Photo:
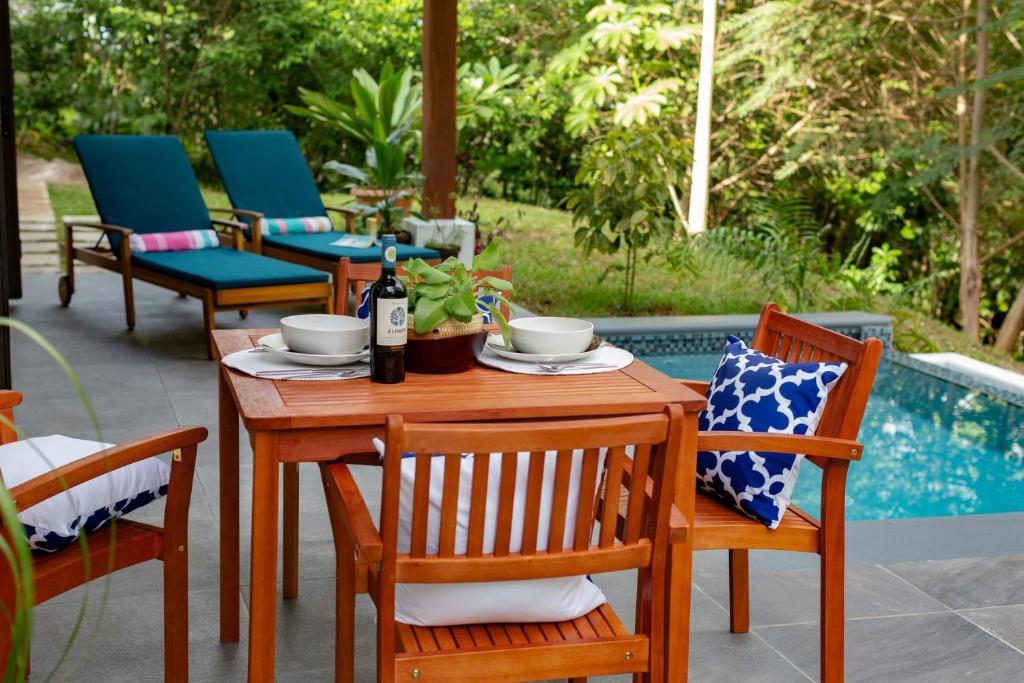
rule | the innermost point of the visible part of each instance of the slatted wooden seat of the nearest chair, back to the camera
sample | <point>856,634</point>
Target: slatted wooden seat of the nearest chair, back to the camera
<point>599,638</point>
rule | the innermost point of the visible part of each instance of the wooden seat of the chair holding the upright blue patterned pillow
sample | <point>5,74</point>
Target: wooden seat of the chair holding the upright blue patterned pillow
<point>719,527</point>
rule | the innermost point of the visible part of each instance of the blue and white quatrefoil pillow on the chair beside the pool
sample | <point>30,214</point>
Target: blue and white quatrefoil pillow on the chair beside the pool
<point>754,393</point>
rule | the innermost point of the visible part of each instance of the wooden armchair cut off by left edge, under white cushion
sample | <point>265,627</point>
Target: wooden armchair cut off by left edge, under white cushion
<point>121,544</point>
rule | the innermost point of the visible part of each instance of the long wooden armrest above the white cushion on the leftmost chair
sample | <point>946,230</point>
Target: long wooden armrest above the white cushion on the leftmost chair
<point>47,486</point>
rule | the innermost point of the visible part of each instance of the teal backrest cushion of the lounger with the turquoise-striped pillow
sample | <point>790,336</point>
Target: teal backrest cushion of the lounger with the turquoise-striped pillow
<point>265,170</point>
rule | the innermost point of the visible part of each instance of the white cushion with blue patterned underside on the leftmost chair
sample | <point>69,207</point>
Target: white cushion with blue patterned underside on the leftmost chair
<point>59,521</point>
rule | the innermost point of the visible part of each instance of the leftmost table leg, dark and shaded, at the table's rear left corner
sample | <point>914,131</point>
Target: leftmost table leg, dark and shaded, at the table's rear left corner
<point>229,441</point>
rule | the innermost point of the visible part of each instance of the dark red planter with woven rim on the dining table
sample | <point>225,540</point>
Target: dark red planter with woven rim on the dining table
<point>451,348</point>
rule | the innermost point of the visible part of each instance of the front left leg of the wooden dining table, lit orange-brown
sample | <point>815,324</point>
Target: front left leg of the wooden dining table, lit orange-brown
<point>264,577</point>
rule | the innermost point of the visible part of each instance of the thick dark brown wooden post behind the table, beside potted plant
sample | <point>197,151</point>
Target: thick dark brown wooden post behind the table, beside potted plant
<point>440,40</point>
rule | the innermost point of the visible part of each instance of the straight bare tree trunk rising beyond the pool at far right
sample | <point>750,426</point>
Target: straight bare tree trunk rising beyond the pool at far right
<point>970,284</point>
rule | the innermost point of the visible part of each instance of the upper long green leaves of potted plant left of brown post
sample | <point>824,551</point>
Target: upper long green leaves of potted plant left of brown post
<point>383,110</point>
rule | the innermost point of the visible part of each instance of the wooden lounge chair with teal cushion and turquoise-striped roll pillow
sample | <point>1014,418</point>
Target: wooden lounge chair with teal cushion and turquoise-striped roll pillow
<point>266,176</point>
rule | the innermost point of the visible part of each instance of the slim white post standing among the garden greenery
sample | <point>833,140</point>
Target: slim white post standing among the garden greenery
<point>702,138</point>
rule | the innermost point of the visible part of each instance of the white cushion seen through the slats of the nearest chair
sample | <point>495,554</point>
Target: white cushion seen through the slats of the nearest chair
<point>556,600</point>
